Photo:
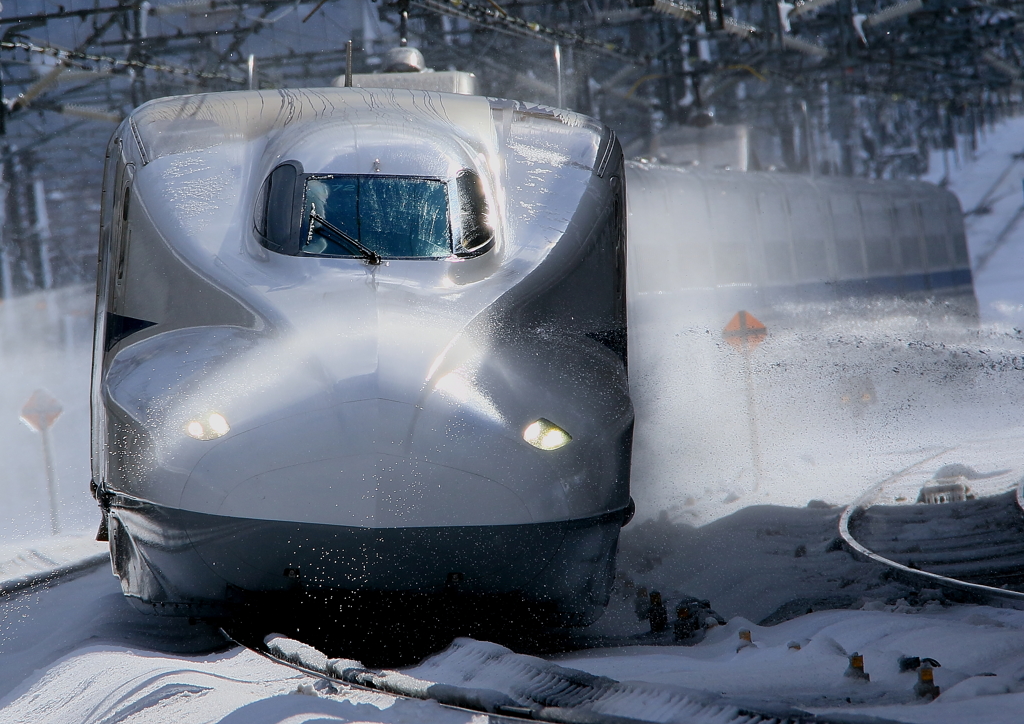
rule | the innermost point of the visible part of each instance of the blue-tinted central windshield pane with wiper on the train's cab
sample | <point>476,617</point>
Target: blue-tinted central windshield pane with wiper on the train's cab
<point>376,218</point>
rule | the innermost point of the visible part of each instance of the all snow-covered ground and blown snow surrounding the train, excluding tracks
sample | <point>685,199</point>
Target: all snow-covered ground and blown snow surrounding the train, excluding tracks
<point>842,403</point>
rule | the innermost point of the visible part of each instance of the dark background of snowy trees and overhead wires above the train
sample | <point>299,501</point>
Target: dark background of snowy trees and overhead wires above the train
<point>858,88</point>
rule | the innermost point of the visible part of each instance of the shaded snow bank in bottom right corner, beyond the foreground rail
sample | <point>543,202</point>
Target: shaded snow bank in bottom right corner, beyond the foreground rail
<point>982,652</point>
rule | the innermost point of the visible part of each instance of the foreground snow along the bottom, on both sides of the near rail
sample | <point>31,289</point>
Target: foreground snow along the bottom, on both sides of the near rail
<point>78,654</point>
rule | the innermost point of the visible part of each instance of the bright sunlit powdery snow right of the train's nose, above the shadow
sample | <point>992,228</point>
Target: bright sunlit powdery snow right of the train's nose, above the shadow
<point>840,402</point>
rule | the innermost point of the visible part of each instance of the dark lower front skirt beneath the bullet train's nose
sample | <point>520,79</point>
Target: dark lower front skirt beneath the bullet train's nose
<point>185,564</point>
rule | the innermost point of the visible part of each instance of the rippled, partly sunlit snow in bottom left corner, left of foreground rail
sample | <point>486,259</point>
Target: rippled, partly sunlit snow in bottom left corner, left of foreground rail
<point>78,654</point>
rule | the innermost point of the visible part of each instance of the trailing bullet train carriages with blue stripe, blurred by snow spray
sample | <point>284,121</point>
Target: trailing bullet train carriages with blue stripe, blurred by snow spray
<point>710,243</point>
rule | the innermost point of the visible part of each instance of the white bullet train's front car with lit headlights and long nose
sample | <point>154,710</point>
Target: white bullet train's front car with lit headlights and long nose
<point>362,340</point>
